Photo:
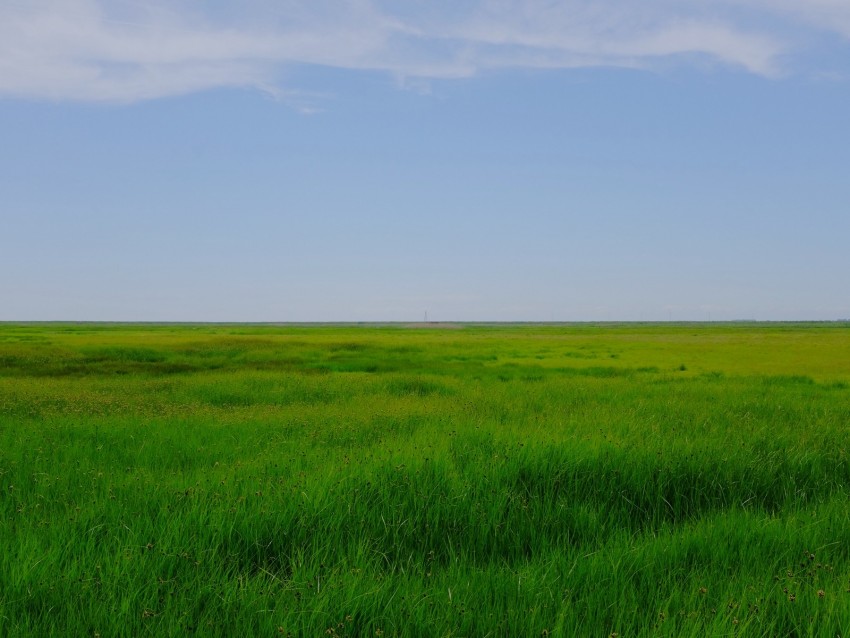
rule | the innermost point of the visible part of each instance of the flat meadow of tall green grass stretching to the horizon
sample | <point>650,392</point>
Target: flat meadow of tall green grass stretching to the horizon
<point>631,480</point>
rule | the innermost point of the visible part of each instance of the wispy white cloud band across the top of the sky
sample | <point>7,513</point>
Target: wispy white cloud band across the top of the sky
<point>125,50</point>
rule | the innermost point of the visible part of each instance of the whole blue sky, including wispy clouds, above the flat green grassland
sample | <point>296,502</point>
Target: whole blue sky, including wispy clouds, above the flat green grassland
<point>376,160</point>
